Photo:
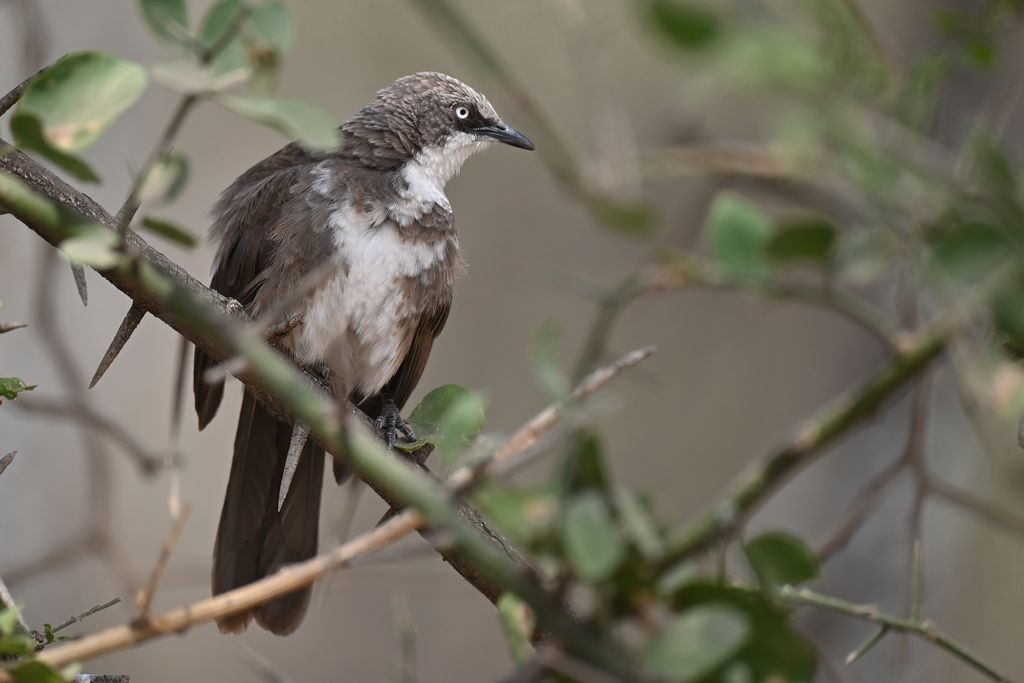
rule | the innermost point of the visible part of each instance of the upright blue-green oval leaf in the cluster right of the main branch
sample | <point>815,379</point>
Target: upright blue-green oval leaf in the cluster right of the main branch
<point>591,539</point>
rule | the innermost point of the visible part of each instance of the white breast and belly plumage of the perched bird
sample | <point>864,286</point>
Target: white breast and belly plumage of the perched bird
<point>362,320</point>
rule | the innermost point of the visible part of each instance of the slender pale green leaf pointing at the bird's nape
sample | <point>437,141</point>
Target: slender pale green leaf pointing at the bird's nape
<point>314,129</point>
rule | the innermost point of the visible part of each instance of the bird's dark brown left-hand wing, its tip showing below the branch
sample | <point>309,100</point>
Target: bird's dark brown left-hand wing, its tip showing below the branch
<point>246,221</point>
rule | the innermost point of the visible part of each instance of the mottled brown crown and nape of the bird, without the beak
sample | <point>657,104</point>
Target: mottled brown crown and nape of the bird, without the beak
<point>413,113</point>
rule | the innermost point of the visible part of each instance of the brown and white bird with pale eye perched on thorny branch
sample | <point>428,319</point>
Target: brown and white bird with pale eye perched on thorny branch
<point>359,244</point>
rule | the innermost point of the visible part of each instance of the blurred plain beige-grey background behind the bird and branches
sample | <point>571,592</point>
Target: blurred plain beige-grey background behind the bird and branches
<point>734,375</point>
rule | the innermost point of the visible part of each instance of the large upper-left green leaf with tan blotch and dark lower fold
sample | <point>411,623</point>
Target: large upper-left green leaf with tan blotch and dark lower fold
<point>68,107</point>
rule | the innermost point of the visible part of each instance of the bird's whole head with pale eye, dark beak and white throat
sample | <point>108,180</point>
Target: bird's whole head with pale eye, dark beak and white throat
<point>431,119</point>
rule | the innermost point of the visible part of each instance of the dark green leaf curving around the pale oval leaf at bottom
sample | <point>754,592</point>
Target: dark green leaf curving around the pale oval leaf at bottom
<point>775,652</point>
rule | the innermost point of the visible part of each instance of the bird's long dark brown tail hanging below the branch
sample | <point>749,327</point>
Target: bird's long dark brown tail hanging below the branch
<point>254,539</point>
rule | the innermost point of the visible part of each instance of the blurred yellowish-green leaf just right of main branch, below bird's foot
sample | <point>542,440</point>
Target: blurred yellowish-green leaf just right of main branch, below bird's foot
<point>524,515</point>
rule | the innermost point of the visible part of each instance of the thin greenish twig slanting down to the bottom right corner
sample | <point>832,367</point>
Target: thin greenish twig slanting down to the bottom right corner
<point>922,629</point>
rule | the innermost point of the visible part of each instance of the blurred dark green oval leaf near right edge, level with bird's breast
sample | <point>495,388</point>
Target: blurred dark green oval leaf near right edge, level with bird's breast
<point>969,251</point>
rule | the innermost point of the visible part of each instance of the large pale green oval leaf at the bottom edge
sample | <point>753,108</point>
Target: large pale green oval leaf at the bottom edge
<point>698,643</point>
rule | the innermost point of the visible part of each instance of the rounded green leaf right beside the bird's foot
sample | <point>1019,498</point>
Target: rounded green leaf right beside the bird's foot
<point>450,417</point>
